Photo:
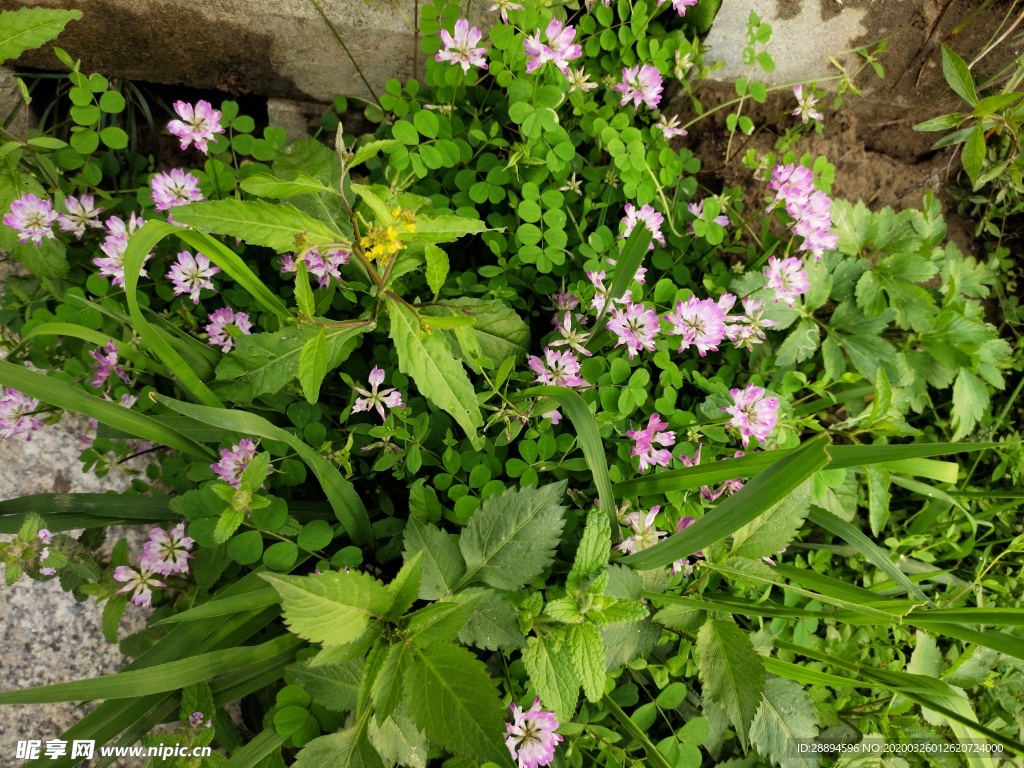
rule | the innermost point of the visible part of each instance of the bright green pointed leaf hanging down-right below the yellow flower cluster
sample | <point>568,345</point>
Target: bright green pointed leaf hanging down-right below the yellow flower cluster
<point>429,361</point>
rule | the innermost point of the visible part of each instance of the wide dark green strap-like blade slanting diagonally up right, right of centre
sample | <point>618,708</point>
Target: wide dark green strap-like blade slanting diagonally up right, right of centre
<point>760,495</point>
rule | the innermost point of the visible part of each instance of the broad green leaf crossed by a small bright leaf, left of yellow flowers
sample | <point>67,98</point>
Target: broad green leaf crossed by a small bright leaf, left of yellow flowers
<point>264,364</point>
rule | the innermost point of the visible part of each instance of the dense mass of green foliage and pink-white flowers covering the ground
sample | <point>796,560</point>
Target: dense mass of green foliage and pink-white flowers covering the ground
<point>498,436</point>
